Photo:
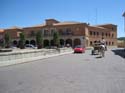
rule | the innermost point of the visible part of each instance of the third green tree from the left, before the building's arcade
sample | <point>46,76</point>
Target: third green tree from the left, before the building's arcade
<point>39,39</point>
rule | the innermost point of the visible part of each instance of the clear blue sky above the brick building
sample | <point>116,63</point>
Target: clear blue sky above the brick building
<point>24,13</point>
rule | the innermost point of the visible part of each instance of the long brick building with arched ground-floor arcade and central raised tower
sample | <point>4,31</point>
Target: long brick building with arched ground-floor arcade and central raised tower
<point>72,33</point>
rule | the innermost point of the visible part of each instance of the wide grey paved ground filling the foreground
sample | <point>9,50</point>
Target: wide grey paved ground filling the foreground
<point>70,73</point>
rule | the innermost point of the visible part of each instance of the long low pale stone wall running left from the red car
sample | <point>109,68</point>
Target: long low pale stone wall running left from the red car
<point>16,57</point>
